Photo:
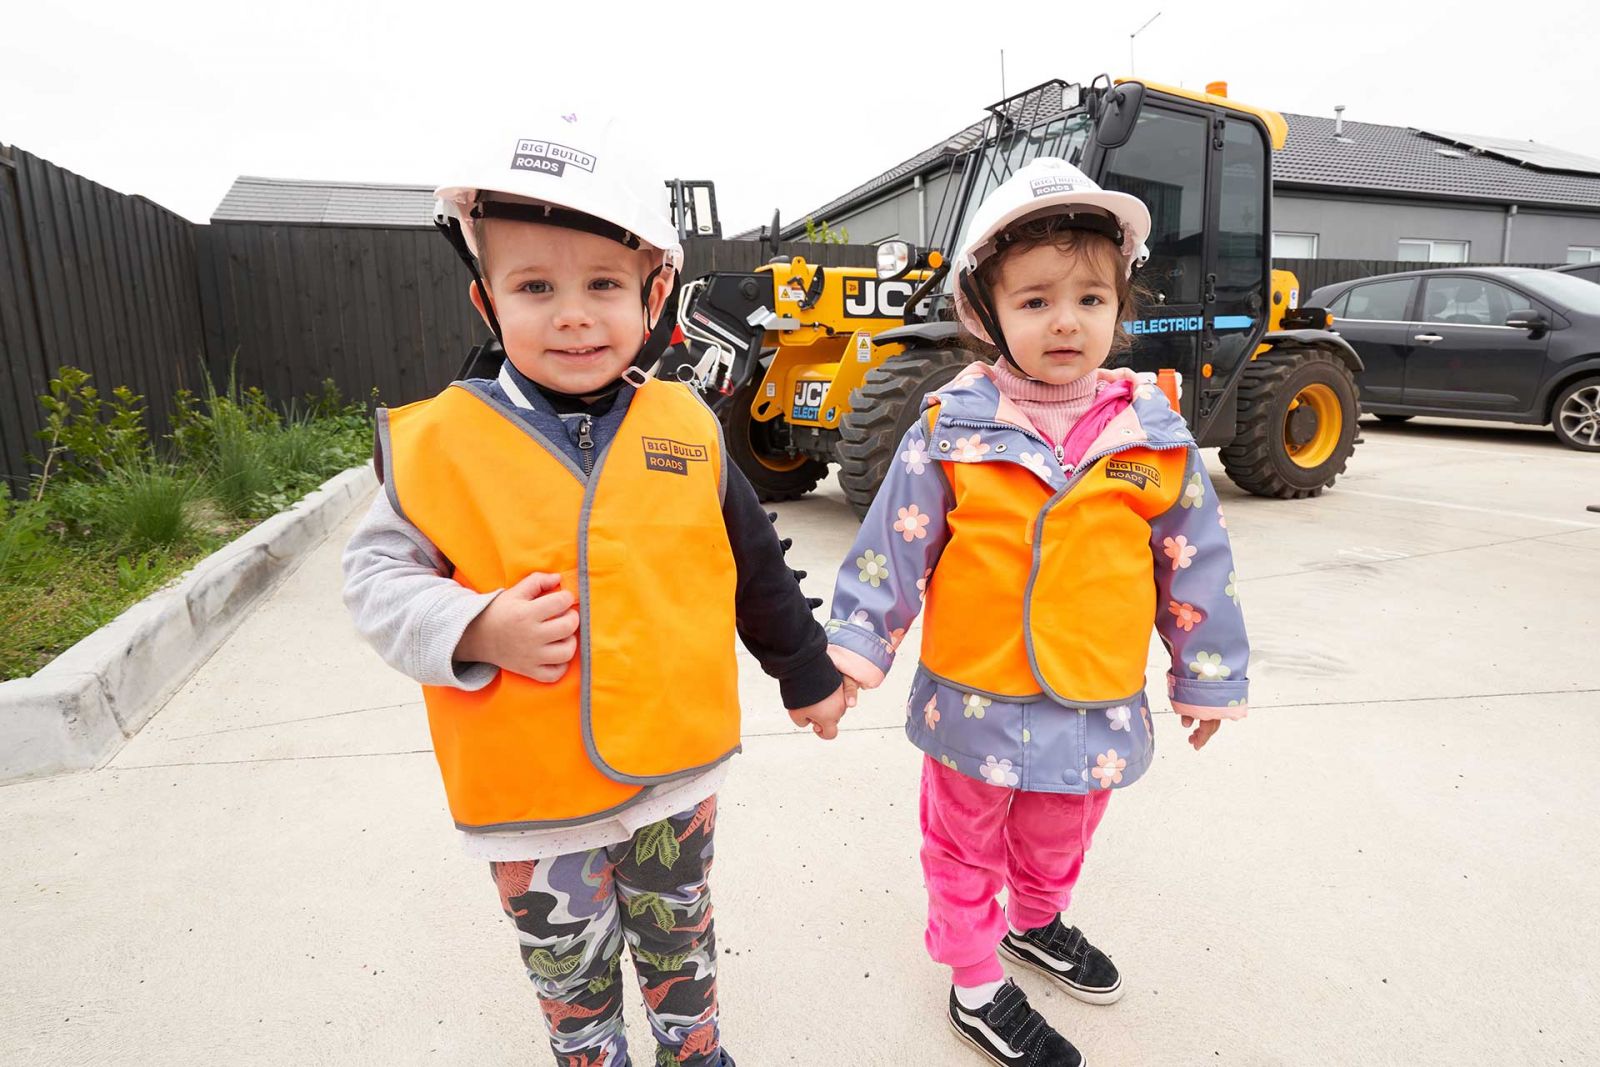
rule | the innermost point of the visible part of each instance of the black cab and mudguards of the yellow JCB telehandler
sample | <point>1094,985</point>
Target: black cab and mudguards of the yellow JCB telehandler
<point>1206,175</point>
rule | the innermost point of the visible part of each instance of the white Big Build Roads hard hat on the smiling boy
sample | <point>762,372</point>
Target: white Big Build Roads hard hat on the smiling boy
<point>569,164</point>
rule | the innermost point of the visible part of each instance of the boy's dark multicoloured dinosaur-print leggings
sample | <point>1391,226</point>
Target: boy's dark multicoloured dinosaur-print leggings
<point>572,916</point>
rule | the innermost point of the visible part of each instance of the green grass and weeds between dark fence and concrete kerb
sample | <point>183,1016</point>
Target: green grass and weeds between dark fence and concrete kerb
<point>113,516</point>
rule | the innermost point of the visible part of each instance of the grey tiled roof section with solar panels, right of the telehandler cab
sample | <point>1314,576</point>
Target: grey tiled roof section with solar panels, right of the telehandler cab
<point>1404,161</point>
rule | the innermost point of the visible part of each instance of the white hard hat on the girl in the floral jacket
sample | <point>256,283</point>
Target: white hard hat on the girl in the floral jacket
<point>1047,188</point>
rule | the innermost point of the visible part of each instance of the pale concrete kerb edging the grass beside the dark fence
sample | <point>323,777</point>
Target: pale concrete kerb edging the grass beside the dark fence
<point>78,711</point>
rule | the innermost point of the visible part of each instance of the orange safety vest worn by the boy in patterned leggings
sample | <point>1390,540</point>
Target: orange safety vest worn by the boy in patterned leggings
<point>644,548</point>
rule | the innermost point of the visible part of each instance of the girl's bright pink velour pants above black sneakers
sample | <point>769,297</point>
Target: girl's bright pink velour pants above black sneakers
<point>978,837</point>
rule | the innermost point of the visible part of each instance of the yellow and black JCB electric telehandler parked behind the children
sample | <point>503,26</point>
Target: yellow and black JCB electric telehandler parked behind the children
<point>814,366</point>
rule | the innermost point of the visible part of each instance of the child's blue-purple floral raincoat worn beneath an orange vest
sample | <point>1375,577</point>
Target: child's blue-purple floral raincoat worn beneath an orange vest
<point>1044,740</point>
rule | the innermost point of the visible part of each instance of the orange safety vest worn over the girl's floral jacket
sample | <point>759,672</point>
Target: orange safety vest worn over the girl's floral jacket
<point>1042,594</point>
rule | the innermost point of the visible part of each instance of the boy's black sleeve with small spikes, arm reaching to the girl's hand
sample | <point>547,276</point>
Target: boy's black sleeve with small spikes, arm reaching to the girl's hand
<point>772,612</point>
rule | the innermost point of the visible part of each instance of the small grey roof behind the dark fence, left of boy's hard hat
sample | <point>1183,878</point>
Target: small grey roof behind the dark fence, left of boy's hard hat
<point>329,202</point>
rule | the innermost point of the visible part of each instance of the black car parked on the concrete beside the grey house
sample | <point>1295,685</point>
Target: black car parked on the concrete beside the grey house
<point>1513,345</point>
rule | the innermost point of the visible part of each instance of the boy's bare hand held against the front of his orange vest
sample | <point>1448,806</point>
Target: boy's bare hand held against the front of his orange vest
<point>530,629</point>
